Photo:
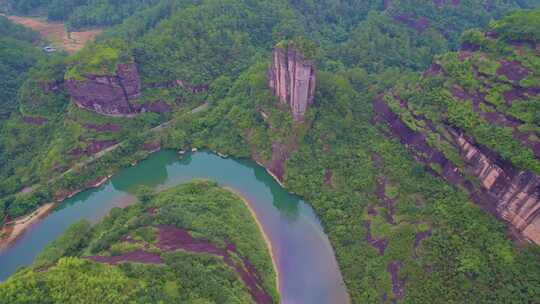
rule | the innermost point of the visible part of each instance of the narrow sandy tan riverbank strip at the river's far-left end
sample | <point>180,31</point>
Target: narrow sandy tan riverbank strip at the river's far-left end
<point>13,230</point>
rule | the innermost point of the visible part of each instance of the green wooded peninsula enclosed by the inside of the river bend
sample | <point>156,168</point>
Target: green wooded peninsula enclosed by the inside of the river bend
<point>78,266</point>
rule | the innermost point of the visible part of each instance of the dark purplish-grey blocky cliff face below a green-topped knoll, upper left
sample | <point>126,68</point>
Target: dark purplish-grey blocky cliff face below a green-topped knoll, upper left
<point>108,94</point>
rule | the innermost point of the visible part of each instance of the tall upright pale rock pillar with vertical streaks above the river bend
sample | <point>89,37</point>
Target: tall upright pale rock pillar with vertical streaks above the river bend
<point>291,78</point>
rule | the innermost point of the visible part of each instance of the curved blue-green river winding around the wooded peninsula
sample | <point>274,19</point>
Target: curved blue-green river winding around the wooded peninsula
<point>308,269</point>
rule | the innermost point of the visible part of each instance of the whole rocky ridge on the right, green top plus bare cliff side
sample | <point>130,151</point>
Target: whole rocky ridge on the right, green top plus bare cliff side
<point>473,118</point>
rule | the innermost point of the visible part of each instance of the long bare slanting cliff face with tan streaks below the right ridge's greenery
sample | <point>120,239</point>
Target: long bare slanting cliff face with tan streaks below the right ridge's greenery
<point>511,194</point>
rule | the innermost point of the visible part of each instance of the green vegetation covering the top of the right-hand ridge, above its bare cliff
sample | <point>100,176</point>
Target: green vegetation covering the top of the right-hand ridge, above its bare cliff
<point>501,109</point>
